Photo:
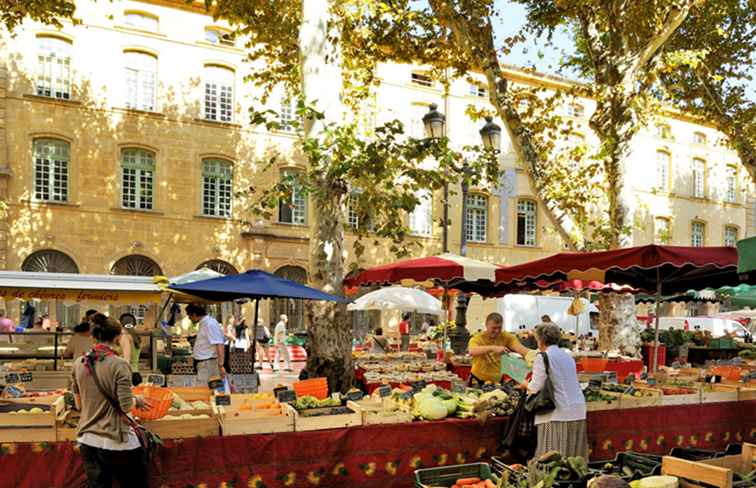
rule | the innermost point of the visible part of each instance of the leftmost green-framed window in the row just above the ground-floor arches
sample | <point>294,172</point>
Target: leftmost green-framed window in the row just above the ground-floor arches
<point>51,170</point>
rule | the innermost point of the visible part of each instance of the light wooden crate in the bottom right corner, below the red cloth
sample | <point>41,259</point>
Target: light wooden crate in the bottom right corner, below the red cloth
<point>719,472</point>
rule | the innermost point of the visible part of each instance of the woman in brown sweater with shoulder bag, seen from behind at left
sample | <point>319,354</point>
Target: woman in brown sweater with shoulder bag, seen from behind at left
<point>112,445</point>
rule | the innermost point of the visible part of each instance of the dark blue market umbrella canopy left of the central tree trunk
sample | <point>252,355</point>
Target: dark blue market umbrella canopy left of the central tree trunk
<point>254,284</point>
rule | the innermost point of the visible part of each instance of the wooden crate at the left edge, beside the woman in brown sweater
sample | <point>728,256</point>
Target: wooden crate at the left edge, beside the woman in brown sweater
<point>30,427</point>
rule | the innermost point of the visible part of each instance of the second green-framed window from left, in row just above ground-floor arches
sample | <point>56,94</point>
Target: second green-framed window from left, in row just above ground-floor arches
<point>137,178</point>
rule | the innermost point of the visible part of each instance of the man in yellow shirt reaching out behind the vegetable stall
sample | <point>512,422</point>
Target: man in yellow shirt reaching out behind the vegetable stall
<point>486,348</point>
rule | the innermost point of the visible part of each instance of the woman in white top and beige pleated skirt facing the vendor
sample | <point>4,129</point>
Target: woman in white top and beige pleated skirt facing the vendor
<point>564,428</point>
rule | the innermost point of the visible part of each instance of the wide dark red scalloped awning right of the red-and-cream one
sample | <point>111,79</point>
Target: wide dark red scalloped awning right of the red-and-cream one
<point>677,268</point>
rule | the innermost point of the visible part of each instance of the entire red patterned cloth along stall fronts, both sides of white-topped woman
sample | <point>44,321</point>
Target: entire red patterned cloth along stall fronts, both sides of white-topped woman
<point>378,455</point>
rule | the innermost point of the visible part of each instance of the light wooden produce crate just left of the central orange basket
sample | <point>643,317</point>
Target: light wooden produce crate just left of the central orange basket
<point>235,420</point>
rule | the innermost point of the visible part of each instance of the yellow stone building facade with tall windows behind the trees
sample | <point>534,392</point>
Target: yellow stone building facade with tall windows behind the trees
<point>124,140</point>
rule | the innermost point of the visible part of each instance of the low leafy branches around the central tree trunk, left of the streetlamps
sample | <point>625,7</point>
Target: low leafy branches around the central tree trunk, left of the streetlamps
<point>379,177</point>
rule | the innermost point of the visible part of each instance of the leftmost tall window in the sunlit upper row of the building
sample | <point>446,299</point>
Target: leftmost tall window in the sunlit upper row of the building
<point>53,67</point>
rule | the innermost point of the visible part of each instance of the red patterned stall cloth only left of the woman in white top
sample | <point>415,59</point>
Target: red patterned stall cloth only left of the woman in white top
<point>377,456</point>
